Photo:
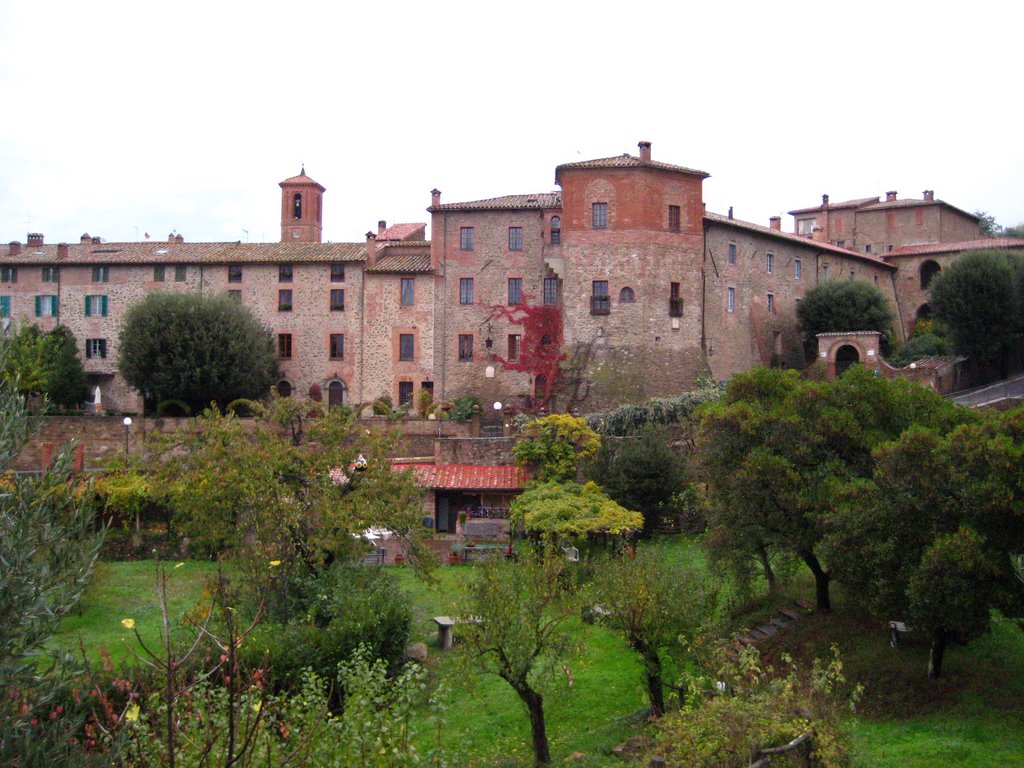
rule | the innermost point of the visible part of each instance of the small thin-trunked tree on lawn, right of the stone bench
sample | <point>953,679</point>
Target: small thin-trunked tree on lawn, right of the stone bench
<point>655,606</point>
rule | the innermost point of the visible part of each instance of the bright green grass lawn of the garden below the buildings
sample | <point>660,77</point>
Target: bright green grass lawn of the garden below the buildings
<point>973,717</point>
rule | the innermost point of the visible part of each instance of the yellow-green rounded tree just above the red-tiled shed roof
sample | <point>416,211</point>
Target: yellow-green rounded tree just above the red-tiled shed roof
<point>553,447</point>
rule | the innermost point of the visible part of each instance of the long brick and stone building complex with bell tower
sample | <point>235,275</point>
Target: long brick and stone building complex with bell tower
<point>618,287</point>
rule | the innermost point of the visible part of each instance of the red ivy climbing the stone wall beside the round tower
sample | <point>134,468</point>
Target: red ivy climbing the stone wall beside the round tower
<point>541,347</point>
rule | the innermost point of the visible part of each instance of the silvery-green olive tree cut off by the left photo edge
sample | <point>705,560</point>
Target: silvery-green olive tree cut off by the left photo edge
<point>49,548</point>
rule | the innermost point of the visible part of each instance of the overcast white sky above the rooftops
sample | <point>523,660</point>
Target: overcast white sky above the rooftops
<point>125,118</point>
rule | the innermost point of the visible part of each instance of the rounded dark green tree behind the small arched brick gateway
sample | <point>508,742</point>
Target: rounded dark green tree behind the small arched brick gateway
<point>844,306</point>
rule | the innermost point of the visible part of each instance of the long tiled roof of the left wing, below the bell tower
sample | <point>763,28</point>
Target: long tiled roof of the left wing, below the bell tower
<point>187,253</point>
